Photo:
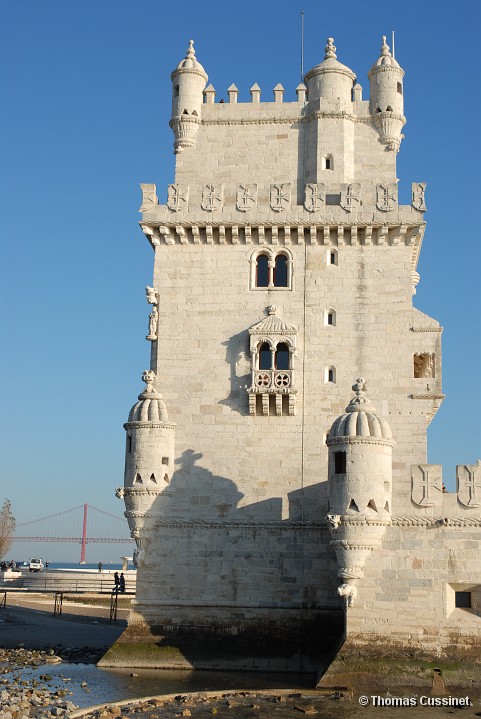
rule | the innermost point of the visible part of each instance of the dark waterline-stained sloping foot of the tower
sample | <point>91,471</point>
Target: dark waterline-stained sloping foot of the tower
<point>271,640</point>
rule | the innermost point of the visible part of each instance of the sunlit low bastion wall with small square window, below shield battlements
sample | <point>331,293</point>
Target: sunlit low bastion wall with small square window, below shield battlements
<point>405,600</point>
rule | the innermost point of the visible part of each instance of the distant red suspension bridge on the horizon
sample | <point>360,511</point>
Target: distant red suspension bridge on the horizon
<point>94,526</point>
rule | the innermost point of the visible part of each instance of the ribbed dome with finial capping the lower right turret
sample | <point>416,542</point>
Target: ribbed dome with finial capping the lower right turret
<point>360,419</point>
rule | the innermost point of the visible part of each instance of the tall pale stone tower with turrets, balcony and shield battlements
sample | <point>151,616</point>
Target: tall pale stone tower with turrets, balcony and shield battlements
<point>284,267</point>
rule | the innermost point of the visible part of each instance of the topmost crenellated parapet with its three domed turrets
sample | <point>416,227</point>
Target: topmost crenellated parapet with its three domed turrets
<point>329,90</point>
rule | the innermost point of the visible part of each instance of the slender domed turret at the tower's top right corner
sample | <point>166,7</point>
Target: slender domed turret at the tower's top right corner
<point>386,103</point>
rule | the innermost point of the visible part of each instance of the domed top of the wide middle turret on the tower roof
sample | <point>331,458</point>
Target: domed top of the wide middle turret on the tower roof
<point>330,80</point>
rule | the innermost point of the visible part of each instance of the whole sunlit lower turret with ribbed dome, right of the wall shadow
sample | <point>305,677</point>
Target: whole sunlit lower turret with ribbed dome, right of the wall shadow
<point>360,486</point>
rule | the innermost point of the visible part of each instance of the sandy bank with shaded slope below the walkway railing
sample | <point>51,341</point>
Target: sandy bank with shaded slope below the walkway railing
<point>28,620</point>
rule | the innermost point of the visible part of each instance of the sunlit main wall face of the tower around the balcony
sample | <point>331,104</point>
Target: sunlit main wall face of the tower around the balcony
<point>206,308</point>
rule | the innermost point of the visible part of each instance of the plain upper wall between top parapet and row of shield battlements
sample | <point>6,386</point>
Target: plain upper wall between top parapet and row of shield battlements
<point>285,142</point>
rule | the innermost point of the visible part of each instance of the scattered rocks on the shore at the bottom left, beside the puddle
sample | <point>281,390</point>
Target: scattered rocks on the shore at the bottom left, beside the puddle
<point>31,698</point>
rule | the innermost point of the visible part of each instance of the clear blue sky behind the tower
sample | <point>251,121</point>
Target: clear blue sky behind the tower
<point>86,102</point>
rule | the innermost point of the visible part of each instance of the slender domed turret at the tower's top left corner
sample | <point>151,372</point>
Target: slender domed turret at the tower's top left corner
<point>188,82</point>
